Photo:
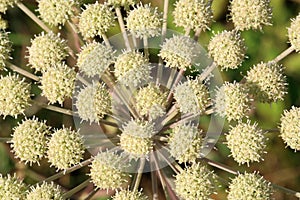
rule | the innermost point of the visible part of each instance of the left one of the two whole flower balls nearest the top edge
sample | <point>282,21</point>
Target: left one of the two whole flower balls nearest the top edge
<point>95,20</point>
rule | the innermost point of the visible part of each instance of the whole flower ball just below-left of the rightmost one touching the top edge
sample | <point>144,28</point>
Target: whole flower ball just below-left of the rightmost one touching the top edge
<point>227,49</point>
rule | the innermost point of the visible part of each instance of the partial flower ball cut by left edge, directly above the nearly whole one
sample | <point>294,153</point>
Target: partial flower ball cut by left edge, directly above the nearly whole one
<point>5,49</point>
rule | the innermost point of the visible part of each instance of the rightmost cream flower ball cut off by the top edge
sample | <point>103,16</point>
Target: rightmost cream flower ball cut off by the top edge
<point>250,14</point>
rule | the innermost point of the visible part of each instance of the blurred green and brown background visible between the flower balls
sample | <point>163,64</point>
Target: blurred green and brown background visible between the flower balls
<point>281,165</point>
